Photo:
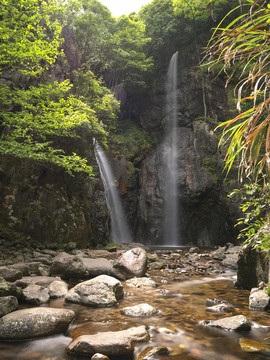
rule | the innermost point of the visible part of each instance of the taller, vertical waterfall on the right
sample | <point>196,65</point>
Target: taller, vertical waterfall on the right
<point>171,211</point>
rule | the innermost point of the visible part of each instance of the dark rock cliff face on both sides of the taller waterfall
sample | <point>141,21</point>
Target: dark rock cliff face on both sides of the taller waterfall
<point>204,218</point>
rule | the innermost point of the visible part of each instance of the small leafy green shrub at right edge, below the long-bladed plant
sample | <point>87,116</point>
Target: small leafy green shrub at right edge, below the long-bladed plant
<point>255,207</point>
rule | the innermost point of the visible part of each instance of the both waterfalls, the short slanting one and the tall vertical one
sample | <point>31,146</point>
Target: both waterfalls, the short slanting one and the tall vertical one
<point>120,232</point>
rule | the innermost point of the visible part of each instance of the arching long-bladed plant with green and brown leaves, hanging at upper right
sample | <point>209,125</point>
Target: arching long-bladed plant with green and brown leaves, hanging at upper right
<point>244,46</point>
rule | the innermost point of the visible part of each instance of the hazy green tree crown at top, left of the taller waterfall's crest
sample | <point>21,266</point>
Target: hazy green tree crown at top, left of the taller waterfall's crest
<point>113,49</point>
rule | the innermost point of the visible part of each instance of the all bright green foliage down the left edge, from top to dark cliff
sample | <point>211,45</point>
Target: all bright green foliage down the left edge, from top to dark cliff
<point>34,117</point>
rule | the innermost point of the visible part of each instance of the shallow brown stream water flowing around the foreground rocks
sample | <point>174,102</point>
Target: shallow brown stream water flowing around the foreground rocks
<point>181,306</point>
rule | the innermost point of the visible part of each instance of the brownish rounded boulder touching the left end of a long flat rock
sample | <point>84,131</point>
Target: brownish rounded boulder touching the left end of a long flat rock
<point>68,267</point>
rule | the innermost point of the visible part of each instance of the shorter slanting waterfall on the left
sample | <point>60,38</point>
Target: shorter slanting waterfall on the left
<point>119,228</point>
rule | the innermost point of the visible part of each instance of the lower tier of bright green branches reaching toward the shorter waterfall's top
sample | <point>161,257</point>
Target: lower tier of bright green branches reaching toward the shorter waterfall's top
<point>43,112</point>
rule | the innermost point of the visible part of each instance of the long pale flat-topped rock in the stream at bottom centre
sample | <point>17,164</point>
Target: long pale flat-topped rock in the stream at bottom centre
<point>118,343</point>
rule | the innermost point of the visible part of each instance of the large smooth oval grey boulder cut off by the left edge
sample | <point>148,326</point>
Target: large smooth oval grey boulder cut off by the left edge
<point>35,323</point>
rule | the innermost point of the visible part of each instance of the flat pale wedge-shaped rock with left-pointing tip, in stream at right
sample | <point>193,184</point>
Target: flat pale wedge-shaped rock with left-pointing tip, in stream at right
<point>236,323</point>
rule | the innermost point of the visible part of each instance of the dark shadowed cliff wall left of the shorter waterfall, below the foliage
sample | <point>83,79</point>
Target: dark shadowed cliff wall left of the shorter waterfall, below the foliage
<point>45,205</point>
